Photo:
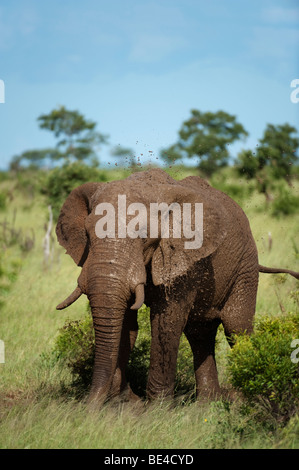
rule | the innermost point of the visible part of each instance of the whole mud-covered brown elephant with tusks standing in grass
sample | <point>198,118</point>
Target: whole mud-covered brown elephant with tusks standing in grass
<point>190,290</point>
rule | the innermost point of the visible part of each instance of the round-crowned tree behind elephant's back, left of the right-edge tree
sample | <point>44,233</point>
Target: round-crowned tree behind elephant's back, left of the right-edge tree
<point>207,136</point>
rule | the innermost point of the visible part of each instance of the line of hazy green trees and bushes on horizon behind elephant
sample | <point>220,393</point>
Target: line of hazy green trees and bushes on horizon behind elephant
<point>204,139</point>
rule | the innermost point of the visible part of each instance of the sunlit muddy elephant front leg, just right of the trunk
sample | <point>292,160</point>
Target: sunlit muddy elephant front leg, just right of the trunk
<point>167,325</point>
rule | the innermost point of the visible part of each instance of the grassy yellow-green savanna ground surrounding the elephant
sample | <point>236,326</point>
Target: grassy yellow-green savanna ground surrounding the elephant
<point>38,408</point>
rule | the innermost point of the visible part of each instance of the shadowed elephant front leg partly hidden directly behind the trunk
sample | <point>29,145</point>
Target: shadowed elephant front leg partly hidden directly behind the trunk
<point>128,338</point>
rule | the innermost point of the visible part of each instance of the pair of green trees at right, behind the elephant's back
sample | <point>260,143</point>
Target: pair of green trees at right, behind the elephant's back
<point>207,137</point>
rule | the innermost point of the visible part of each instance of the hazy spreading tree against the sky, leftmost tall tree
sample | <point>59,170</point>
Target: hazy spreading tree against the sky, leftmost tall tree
<point>79,137</point>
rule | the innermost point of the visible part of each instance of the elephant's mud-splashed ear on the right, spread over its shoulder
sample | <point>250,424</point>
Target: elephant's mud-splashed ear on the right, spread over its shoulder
<point>175,256</point>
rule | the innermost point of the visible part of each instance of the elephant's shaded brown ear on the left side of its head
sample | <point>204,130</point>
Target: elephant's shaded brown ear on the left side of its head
<point>70,229</point>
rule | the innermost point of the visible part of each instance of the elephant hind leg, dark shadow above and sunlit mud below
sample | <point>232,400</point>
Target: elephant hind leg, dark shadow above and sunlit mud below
<point>201,337</point>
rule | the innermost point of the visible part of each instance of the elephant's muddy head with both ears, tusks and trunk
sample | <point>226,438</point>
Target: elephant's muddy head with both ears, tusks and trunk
<point>113,272</point>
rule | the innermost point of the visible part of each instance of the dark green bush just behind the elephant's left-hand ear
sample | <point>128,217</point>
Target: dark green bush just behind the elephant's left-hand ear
<point>62,180</point>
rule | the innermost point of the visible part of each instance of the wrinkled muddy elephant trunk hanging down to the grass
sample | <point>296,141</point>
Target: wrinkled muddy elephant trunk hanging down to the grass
<point>112,279</point>
